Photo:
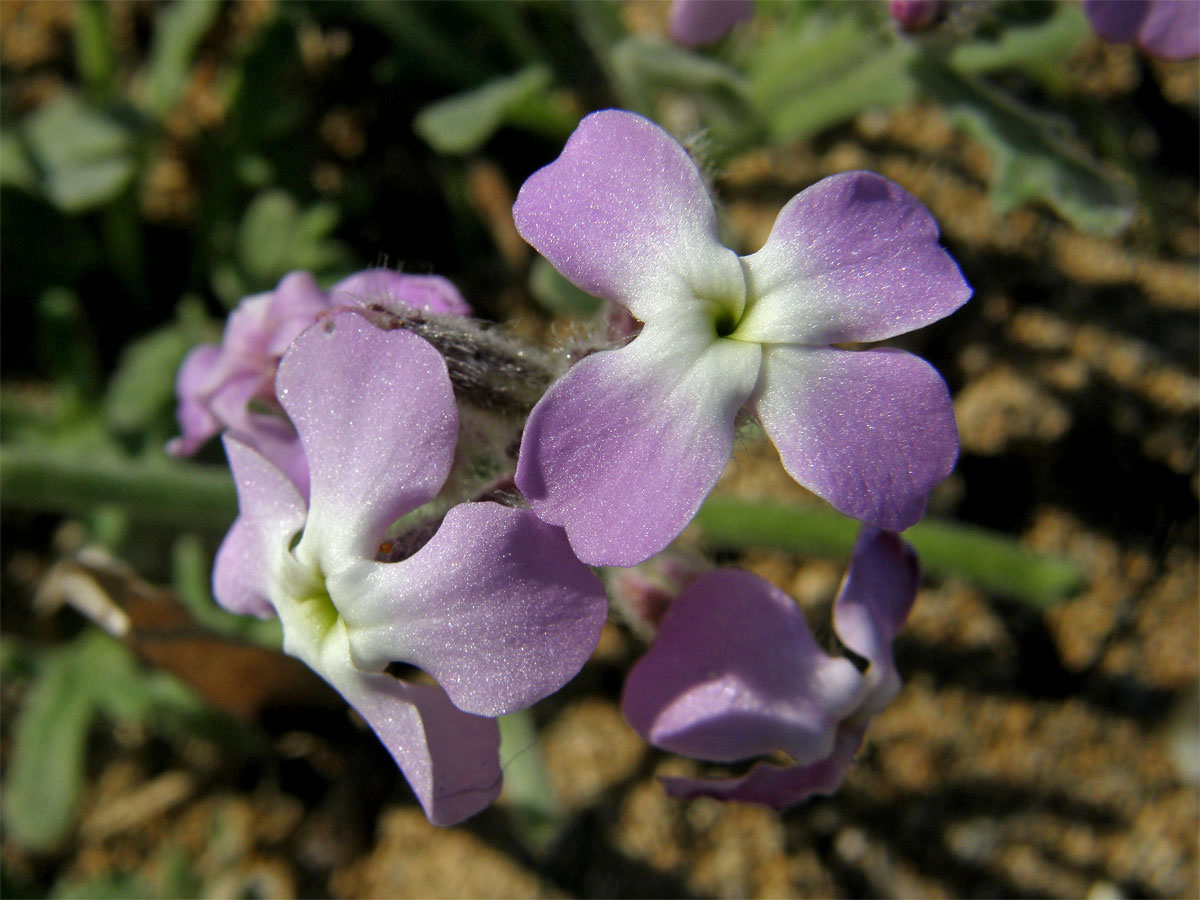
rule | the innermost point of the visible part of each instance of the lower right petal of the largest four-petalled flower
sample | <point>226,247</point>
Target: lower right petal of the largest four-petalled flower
<point>871,431</point>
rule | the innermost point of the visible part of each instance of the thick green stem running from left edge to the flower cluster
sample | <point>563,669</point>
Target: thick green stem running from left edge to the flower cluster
<point>171,494</point>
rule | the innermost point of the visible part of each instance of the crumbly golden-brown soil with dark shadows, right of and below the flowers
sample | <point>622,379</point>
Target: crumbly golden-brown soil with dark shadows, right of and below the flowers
<point>1029,755</point>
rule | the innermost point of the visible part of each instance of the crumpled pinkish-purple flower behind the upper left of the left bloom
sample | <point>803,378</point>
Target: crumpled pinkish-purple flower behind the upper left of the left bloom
<point>232,386</point>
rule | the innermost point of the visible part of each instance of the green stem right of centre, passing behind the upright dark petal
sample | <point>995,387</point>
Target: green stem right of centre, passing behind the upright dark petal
<point>992,561</point>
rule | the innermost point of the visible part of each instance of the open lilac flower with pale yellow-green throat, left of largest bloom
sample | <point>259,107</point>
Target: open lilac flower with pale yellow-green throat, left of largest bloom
<point>495,607</point>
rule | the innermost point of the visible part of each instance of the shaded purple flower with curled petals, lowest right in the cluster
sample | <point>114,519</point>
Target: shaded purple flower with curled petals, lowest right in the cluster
<point>735,674</point>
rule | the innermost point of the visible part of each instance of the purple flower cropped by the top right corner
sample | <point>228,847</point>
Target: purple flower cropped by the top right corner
<point>1169,29</point>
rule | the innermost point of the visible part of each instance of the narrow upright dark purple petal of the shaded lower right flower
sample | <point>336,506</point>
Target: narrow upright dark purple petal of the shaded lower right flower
<point>875,599</point>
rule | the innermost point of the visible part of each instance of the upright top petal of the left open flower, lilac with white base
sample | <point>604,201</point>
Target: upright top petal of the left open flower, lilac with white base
<point>377,419</point>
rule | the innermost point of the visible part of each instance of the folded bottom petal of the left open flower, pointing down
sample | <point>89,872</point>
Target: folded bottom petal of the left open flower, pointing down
<point>451,758</point>
